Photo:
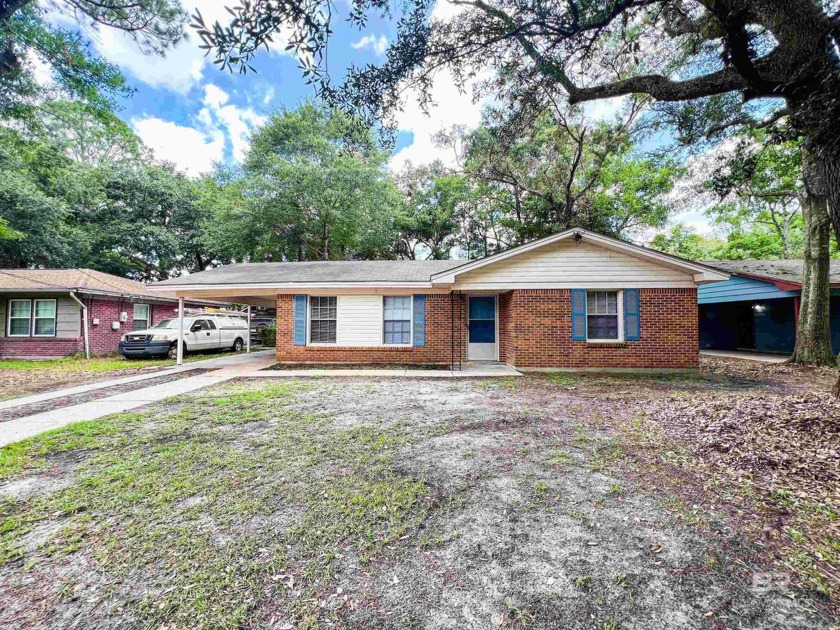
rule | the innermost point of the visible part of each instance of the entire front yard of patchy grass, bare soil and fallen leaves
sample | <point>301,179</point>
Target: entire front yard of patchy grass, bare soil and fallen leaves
<point>540,502</point>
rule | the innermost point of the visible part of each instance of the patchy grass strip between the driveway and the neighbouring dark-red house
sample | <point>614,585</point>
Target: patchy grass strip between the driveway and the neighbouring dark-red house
<point>25,377</point>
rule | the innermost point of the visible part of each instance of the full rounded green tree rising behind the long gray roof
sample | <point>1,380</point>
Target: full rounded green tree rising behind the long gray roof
<point>315,188</point>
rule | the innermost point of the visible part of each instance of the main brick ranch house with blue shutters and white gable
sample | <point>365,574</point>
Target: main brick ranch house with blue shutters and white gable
<point>574,300</point>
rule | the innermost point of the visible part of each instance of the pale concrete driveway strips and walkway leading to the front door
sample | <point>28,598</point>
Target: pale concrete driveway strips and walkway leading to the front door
<point>227,368</point>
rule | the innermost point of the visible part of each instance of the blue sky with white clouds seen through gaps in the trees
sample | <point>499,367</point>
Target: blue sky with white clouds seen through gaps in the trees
<point>190,113</point>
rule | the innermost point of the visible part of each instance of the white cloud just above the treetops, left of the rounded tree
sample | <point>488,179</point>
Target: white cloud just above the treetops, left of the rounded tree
<point>190,149</point>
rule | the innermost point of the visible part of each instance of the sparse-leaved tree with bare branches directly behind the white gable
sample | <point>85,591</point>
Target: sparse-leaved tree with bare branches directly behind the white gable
<point>559,171</point>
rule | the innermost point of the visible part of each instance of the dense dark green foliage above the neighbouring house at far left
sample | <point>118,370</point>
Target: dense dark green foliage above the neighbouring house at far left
<point>115,215</point>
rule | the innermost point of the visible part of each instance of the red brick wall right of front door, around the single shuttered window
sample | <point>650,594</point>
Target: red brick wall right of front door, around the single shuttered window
<point>541,332</point>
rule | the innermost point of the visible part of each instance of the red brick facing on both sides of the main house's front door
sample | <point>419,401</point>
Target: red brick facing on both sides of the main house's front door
<point>534,332</point>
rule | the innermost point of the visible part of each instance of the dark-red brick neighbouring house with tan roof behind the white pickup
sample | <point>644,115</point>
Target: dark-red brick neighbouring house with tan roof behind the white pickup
<point>43,311</point>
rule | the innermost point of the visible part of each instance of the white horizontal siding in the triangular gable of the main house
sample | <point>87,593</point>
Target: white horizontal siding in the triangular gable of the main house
<point>568,265</point>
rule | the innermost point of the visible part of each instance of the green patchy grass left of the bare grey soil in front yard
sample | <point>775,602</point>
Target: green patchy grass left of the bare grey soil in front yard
<point>201,517</point>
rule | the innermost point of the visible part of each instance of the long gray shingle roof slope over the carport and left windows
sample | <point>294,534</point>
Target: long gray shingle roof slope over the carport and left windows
<point>318,271</point>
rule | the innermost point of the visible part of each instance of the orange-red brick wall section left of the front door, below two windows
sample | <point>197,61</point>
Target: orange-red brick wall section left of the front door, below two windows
<point>438,348</point>
